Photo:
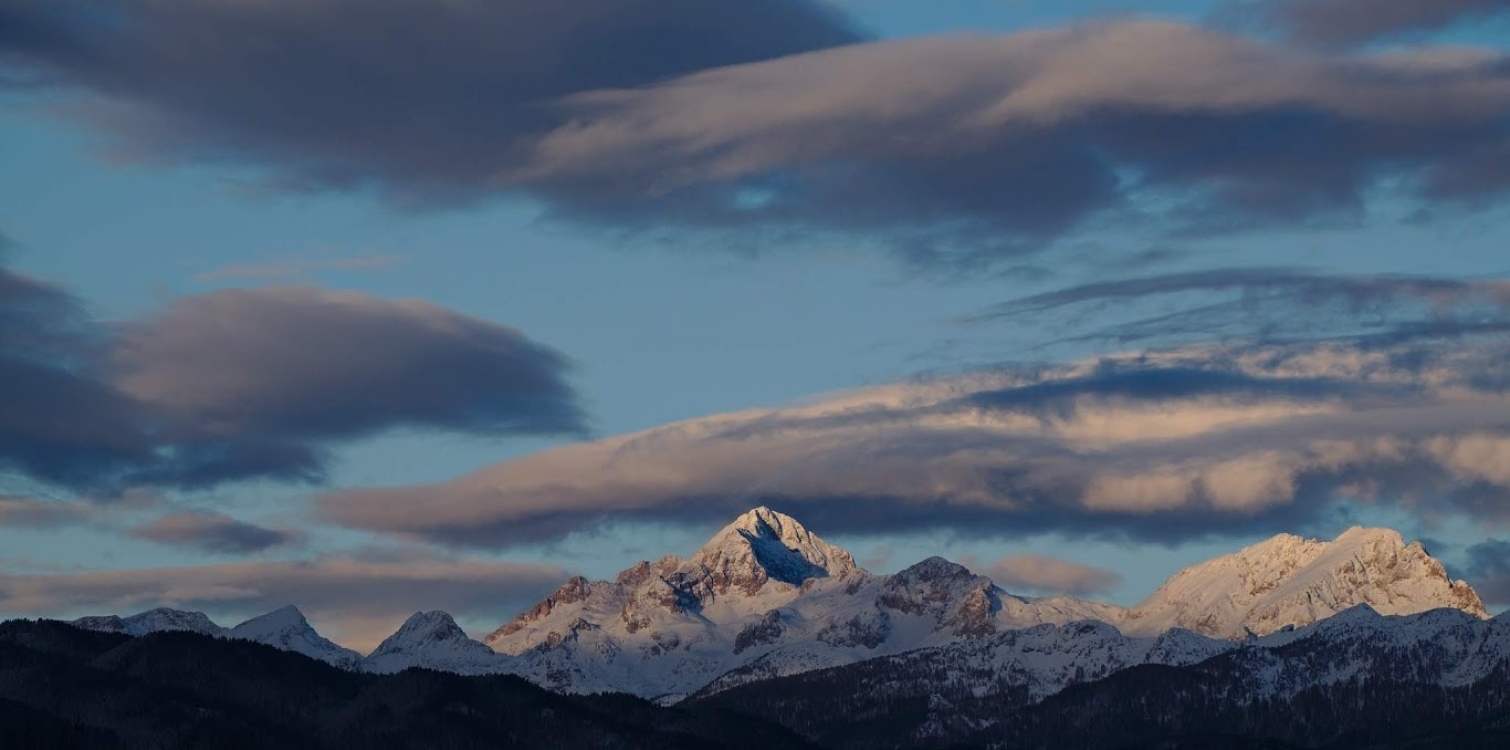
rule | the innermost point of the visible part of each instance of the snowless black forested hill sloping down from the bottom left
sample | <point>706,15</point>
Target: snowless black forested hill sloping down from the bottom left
<point>63,687</point>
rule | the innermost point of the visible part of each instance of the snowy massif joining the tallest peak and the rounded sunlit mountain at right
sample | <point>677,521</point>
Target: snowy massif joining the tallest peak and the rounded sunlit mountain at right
<point>768,598</point>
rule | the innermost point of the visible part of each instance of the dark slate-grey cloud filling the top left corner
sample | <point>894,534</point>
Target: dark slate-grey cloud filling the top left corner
<point>425,100</point>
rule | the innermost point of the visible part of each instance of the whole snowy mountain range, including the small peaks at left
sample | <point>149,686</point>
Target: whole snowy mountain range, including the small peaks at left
<point>768,598</point>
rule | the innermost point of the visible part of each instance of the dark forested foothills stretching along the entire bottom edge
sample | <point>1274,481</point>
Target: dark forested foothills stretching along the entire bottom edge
<point>1438,681</point>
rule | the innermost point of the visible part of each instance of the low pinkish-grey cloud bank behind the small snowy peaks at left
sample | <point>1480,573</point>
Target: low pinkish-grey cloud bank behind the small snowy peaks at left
<point>356,601</point>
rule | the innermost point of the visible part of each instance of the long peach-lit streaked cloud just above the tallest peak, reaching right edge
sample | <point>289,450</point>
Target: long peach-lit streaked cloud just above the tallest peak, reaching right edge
<point>1156,446</point>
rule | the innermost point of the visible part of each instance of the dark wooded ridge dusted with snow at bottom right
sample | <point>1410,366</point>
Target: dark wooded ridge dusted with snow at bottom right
<point>1011,687</point>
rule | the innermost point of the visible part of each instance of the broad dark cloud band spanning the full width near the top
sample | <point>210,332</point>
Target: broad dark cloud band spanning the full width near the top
<point>955,150</point>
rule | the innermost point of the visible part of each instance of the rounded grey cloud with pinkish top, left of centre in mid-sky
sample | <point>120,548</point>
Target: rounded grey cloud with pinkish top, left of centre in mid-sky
<point>301,363</point>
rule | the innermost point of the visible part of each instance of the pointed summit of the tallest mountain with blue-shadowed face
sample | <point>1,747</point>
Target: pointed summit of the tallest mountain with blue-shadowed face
<point>765,546</point>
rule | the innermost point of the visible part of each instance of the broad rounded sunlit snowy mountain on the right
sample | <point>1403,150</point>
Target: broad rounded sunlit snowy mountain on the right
<point>1293,582</point>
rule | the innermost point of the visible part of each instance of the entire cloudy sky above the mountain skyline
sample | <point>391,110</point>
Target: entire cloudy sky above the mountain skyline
<point>390,306</point>
